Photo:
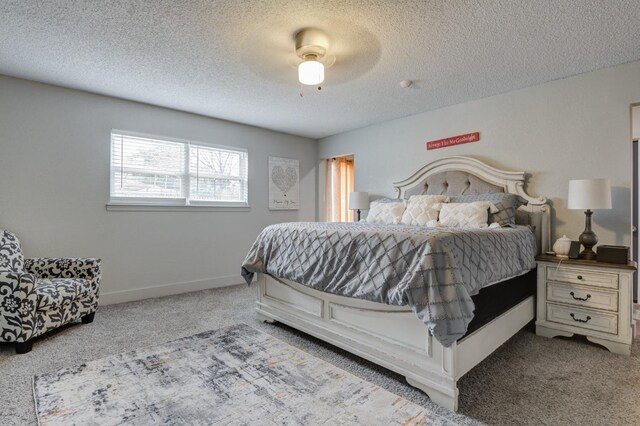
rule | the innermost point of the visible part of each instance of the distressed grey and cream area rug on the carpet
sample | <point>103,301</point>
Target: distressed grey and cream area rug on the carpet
<point>232,376</point>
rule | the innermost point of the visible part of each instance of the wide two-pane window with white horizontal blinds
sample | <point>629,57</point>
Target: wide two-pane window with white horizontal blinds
<point>150,171</point>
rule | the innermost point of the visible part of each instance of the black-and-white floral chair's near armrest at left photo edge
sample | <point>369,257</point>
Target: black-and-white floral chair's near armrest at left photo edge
<point>18,302</point>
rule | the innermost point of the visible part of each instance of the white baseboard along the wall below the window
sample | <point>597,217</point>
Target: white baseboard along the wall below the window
<point>111,298</point>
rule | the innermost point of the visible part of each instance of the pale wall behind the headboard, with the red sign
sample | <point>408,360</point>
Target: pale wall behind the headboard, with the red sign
<point>578,127</point>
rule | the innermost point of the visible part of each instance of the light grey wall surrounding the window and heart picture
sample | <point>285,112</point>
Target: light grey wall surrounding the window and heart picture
<point>54,184</point>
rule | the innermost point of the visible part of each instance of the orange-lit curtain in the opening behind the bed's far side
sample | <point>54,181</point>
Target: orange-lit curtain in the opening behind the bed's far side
<point>339,184</point>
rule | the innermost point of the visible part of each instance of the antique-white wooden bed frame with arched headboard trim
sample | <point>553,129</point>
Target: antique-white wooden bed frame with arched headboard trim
<point>393,336</point>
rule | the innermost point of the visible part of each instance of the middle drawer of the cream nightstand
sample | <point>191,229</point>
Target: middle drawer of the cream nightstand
<point>588,297</point>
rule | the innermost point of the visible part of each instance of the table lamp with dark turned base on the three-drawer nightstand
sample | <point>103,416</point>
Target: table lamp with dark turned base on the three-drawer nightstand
<point>589,194</point>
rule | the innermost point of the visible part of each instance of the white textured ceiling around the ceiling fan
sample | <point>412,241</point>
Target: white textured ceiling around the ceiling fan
<point>233,59</point>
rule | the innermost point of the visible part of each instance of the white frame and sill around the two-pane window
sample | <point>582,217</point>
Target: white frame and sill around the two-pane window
<point>117,203</point>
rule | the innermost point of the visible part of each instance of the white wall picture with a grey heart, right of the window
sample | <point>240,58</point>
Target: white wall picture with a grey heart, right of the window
<point>284,184</point>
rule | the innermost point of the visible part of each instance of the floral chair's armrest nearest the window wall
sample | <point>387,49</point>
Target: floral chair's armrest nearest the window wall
<point>78,267</point>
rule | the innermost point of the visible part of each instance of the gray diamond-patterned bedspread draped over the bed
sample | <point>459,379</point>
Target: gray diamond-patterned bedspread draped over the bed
<point>435,271</point>
